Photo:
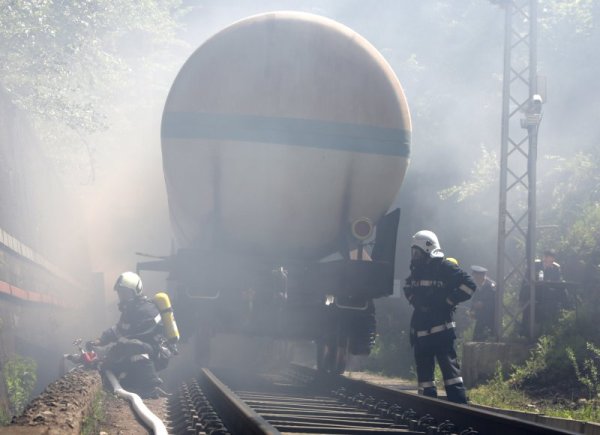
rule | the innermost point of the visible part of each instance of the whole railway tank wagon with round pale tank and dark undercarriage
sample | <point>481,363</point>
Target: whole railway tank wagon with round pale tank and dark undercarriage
<point>285,138</point>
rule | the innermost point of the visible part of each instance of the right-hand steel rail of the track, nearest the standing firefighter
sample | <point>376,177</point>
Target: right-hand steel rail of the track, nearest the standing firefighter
<point>463,416</point>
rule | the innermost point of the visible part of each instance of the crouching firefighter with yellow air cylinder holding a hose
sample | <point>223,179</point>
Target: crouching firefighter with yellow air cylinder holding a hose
<point>142,341</point>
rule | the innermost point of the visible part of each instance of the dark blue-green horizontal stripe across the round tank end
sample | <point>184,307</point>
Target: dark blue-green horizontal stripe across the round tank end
<point>288,131</point>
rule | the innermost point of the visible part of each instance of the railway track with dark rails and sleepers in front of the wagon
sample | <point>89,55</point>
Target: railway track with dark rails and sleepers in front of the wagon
<point>303,401</point>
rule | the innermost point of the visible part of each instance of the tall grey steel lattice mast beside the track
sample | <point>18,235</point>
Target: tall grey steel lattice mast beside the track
<point>521,116</point>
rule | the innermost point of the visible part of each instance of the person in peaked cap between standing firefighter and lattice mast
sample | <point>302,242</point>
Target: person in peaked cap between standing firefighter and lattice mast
<point>483,304</point>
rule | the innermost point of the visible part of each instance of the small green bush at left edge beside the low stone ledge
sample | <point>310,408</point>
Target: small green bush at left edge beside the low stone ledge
<point>20,375</point>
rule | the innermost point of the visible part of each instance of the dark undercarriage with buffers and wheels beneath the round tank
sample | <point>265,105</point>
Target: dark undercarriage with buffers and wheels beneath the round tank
<point>330,302</point>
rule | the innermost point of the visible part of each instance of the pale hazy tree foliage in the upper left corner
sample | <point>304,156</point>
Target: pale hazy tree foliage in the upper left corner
<point>64,61</point>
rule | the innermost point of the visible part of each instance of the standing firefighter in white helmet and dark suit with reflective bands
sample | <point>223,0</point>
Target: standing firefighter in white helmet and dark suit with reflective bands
<point>434,288</point>
